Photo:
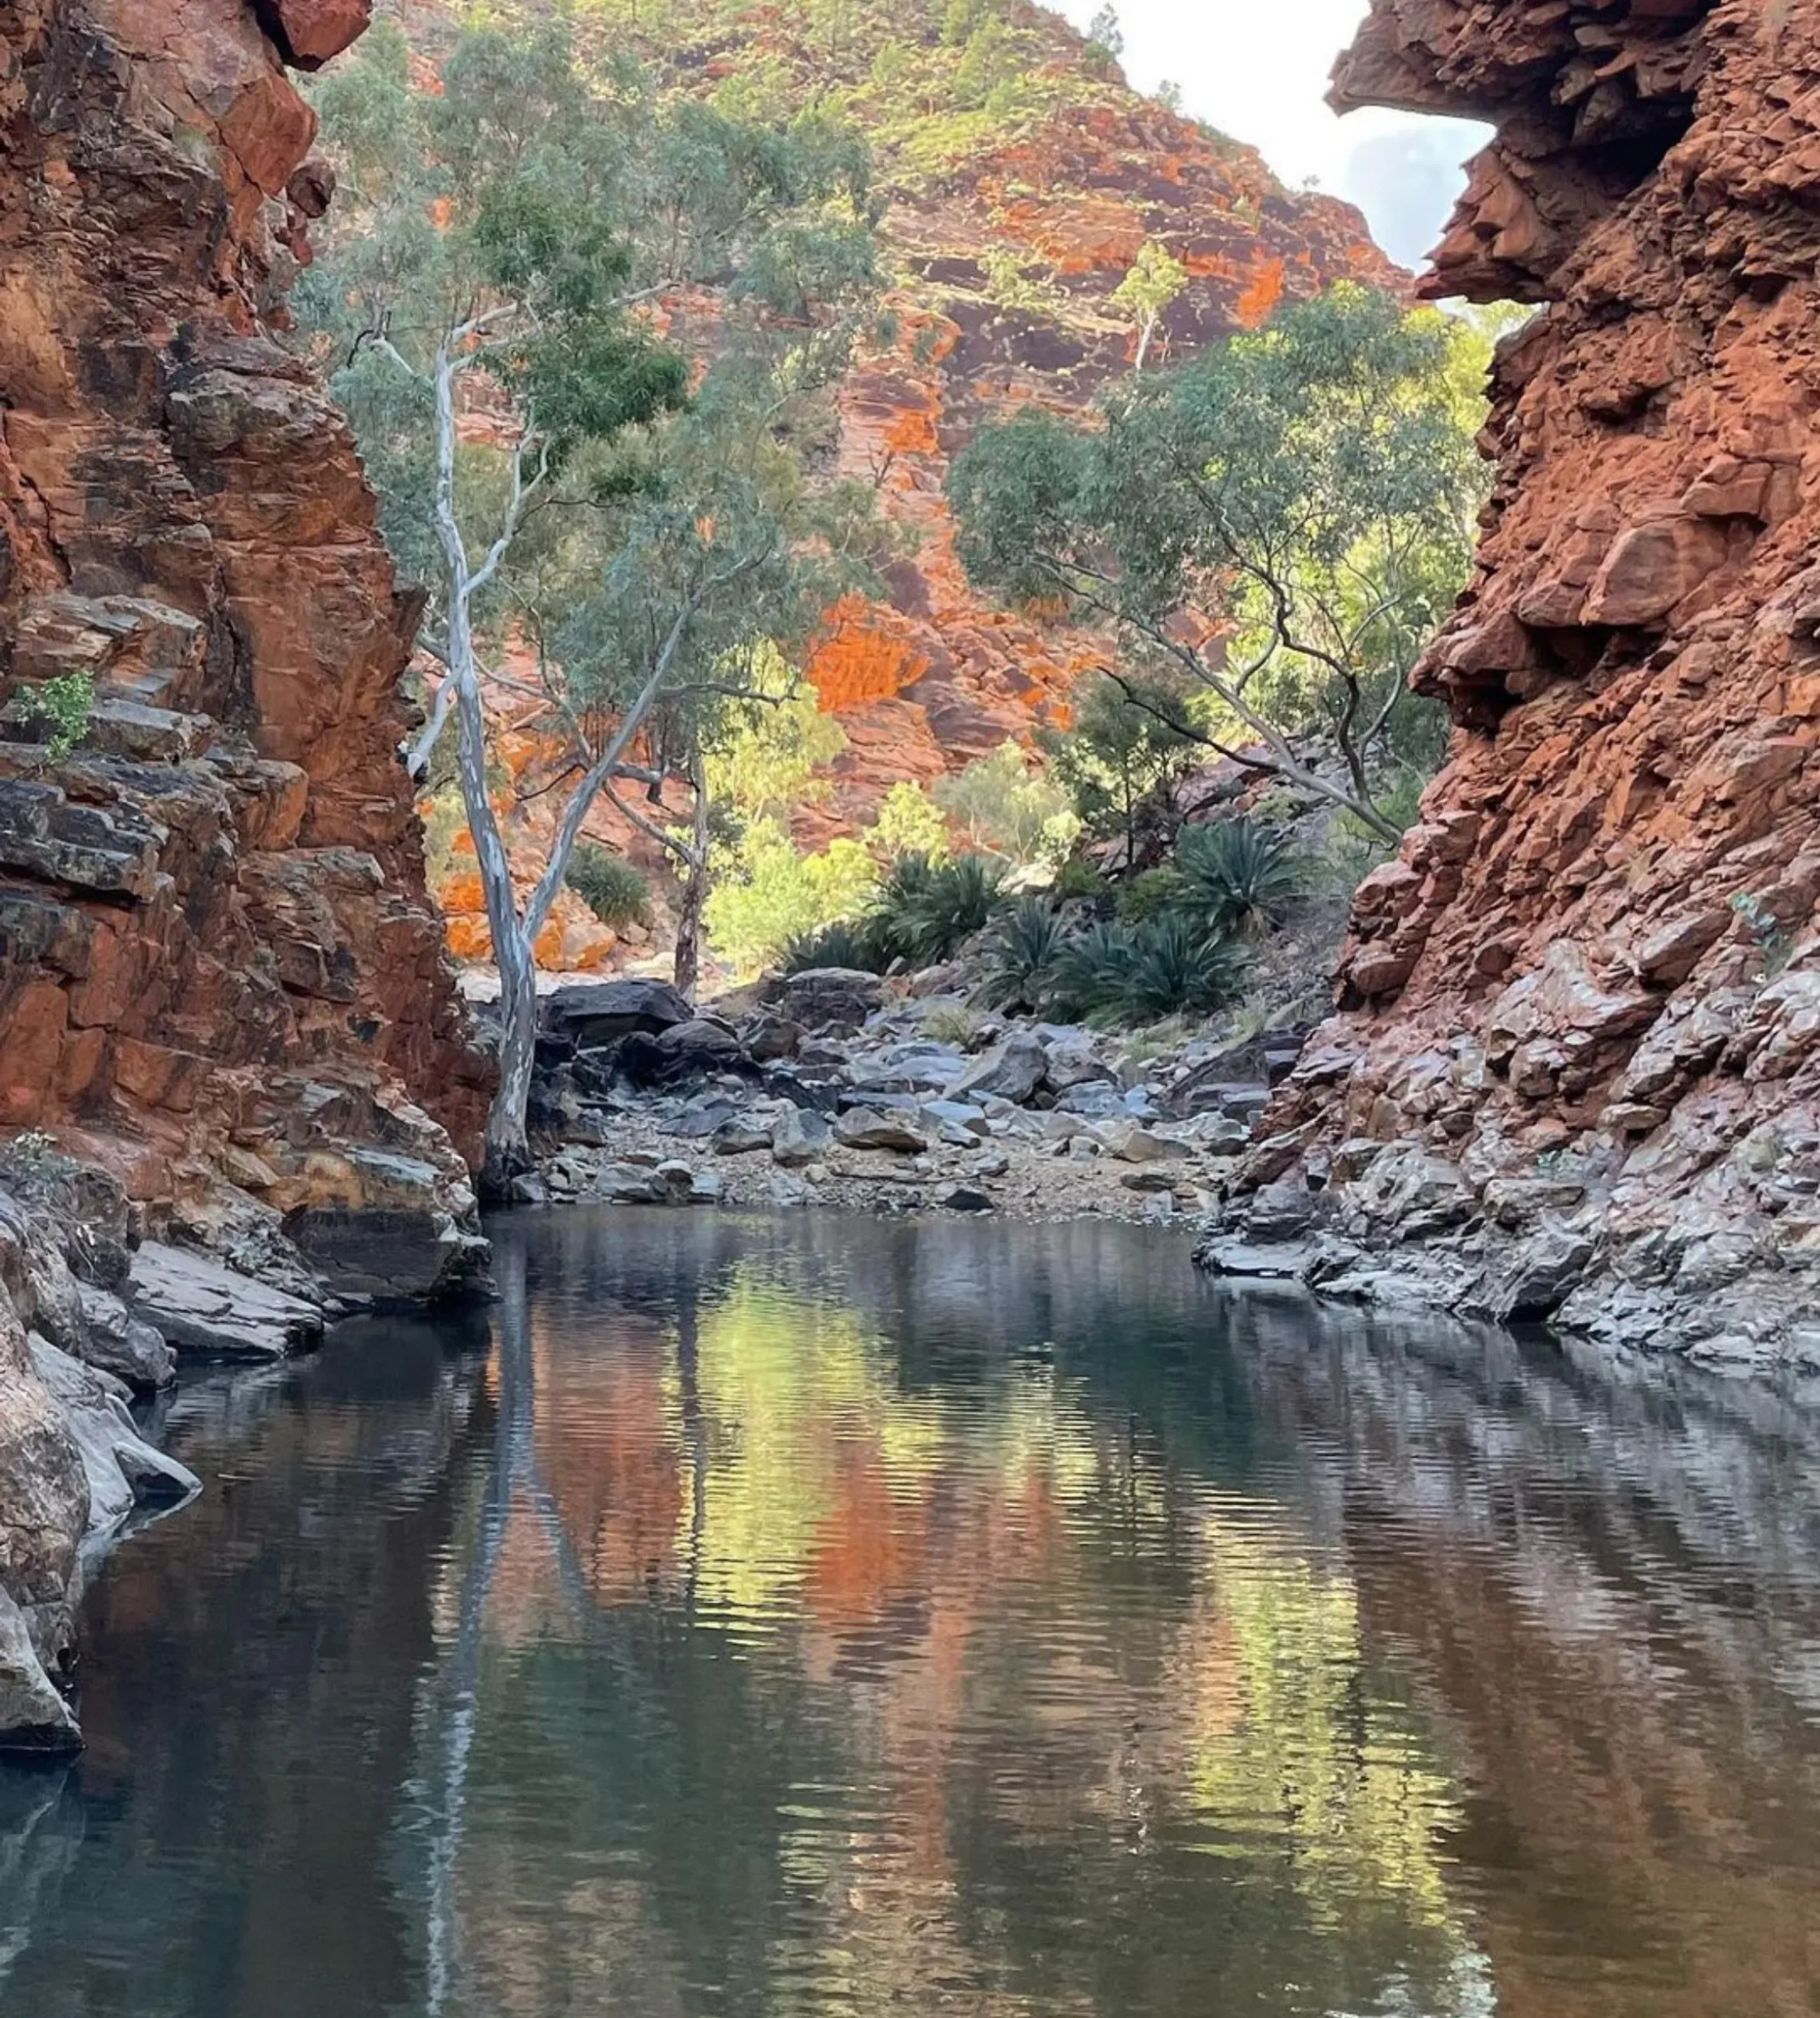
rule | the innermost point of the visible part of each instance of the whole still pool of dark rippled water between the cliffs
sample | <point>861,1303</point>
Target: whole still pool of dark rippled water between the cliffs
<point>830,1617</point>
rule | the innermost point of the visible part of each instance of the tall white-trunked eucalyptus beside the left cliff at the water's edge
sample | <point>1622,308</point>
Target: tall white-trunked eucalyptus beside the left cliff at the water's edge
<point>491,292</point>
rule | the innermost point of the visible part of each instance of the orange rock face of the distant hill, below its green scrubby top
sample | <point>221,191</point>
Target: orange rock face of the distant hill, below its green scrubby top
<point>937,675</point>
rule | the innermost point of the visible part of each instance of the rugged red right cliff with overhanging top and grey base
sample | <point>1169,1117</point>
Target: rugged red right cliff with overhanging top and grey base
<point>1575,1067</point>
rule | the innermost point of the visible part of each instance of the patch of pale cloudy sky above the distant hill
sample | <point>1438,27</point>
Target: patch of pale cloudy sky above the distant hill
<point>1258,70</point>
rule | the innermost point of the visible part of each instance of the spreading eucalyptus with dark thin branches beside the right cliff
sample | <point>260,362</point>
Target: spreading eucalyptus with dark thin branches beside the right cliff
<point>1274,528</point>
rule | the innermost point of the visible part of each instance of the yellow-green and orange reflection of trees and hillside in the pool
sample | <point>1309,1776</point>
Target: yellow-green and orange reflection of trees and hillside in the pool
<point>927,1694</point>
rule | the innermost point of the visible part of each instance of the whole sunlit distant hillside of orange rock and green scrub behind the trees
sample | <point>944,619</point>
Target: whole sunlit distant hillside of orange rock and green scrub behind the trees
<point>1040,229</point>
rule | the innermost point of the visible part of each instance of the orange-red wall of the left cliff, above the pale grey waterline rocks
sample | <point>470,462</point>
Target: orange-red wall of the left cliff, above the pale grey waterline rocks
<point>217,956</point>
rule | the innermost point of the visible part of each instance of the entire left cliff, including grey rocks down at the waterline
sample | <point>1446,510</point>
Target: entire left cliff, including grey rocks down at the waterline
<point>225,1014</point>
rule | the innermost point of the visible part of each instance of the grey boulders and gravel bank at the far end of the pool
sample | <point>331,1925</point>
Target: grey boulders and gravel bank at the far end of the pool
<point>840,1089</point>
